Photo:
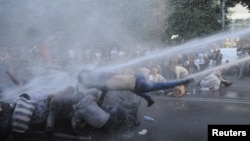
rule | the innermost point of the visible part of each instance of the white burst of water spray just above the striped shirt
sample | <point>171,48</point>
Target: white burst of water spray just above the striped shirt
<point>47,84</point>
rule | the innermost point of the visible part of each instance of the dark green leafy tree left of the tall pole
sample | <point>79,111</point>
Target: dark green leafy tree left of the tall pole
<point>193,18</point>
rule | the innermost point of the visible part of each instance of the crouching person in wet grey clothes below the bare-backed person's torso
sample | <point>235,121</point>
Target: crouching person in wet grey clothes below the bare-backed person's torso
<point>106,117</point>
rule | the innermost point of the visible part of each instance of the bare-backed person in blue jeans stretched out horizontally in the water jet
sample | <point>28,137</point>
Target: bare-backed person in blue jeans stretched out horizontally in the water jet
<point>135,83</point>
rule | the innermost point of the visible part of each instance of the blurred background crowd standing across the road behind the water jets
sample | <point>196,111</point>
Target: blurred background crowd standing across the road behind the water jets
<point>26,63</point>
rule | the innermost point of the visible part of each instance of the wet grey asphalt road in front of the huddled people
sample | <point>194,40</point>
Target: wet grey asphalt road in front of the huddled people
<point>185,118</point>
